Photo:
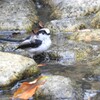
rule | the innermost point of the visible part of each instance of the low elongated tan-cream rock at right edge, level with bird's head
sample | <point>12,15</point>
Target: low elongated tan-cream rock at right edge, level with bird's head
<point>86,35</point>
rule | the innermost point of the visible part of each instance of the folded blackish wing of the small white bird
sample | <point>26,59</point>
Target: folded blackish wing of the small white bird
<point>30,44</point>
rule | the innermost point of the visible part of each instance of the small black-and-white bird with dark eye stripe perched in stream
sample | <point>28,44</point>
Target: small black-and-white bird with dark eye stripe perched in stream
<point>37,43</point>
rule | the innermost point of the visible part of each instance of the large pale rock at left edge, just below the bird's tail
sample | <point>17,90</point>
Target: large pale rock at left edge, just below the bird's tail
<point>13,67</point>
